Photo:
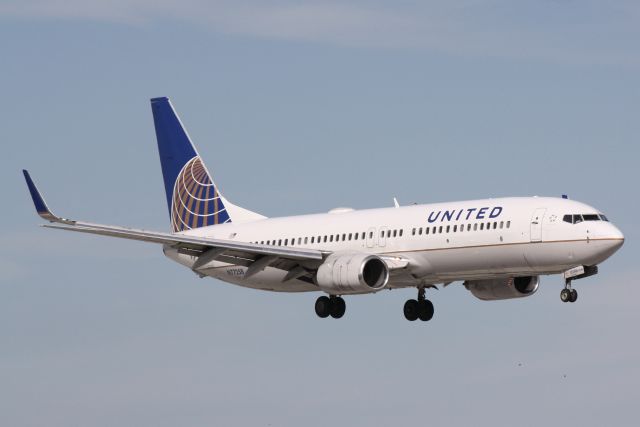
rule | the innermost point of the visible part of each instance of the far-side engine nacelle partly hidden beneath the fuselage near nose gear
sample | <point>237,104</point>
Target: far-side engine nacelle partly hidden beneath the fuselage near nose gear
<point>506,288</point>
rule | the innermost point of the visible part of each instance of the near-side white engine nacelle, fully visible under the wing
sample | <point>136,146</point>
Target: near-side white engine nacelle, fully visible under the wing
<point>352,273</point>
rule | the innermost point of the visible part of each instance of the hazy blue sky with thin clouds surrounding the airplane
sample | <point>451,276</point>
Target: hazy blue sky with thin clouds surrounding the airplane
<point>299,107</point>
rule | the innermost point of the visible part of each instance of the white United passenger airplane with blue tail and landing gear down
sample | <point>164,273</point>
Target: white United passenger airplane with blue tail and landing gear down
<point>498,248</point>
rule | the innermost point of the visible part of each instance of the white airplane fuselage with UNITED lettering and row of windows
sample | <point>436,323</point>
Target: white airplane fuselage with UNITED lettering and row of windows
<point>443,242</point>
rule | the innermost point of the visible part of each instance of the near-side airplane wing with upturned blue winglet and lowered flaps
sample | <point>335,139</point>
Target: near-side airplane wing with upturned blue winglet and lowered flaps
<point>254,256</point>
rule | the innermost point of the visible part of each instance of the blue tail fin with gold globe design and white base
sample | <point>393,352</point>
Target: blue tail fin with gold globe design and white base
<point>193,199</point>
